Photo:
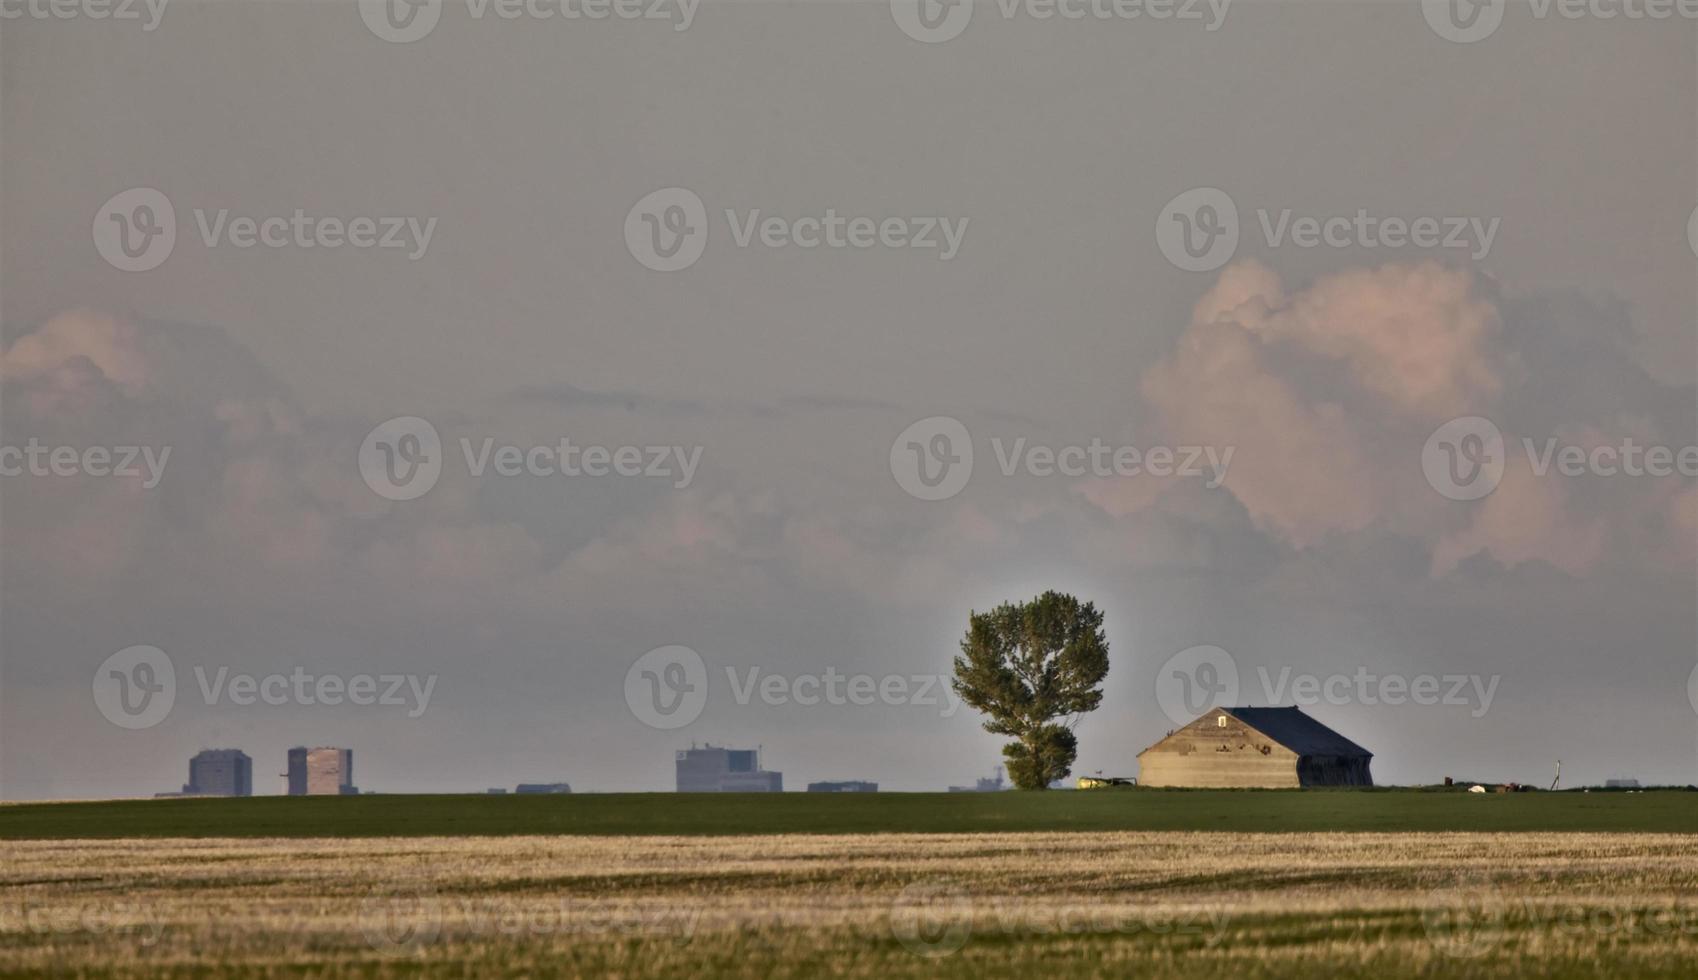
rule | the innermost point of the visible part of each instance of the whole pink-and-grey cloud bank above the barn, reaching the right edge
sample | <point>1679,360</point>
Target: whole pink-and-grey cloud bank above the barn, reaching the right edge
<point>1329,393</point>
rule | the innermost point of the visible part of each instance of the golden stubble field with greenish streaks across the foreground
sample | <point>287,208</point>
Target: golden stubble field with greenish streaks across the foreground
<point>860,906</point>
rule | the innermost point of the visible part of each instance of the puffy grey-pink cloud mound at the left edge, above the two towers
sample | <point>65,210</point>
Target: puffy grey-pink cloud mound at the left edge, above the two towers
<point>257,495</point>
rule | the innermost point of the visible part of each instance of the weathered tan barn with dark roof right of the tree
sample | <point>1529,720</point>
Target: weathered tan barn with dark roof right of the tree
<point>1256,748</point>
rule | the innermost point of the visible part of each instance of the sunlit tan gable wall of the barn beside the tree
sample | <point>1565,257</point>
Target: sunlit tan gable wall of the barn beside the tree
<point>1206,755</point>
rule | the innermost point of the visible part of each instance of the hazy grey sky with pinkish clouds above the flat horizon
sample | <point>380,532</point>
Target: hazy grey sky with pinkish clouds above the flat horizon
<point>1313,342</point>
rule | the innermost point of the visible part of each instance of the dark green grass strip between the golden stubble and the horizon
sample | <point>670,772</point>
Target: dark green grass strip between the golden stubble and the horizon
<point>648,814</point>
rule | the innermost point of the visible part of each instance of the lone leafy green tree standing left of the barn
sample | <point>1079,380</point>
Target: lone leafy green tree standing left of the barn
<point>1035,668</point>
